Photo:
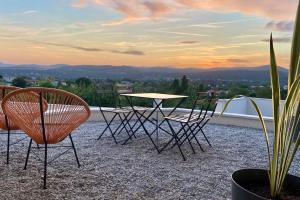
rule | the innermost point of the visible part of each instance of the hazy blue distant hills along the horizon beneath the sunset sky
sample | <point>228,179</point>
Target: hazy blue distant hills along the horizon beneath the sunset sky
<point>61,71</point>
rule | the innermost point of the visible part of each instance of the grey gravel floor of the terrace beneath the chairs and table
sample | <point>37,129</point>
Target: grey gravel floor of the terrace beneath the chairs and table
<point>135,170</point>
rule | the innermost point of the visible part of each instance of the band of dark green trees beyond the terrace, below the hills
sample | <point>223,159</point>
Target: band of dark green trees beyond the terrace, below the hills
<point>92,90</point>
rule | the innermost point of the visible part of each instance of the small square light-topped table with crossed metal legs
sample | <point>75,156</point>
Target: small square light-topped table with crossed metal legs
<point>158,99</point>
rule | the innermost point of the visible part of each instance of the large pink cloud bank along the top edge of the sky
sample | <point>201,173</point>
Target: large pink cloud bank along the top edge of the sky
<point>153,9</point>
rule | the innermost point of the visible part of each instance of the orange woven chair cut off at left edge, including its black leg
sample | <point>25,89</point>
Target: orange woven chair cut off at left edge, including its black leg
<point>6,124</point>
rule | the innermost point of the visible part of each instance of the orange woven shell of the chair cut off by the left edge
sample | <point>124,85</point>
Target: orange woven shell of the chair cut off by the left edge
<point>4,121</point>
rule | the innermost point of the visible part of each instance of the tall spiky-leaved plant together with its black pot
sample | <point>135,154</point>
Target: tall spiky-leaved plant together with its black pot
<point>275,183</point>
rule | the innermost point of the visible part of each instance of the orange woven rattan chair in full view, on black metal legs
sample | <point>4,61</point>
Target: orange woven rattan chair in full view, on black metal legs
<point>56,119</point>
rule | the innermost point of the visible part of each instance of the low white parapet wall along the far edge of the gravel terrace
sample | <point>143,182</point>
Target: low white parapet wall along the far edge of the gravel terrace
<point>240,112</point>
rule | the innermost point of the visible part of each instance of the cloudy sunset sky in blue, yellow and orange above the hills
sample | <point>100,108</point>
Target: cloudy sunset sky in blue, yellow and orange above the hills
<point>181,33</point>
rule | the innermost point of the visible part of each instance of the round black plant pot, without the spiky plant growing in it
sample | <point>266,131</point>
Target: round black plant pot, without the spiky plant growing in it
<point>243,180</point>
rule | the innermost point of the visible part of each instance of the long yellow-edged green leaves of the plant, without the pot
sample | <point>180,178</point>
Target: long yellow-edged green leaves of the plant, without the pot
<point>286,121</point>
